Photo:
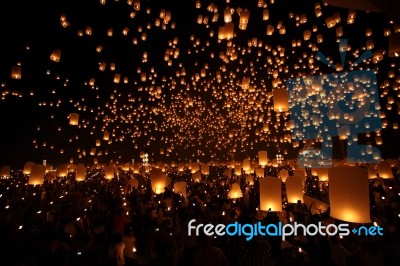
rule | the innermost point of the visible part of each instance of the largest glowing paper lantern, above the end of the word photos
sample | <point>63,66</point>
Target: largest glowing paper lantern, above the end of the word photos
<point>349,194</point>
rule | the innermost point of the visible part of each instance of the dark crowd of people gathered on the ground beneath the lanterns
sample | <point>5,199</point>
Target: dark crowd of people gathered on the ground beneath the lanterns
<point>112,222</point>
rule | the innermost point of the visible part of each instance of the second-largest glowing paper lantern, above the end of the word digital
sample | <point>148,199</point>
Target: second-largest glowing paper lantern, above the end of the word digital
<point>270,194</point>
